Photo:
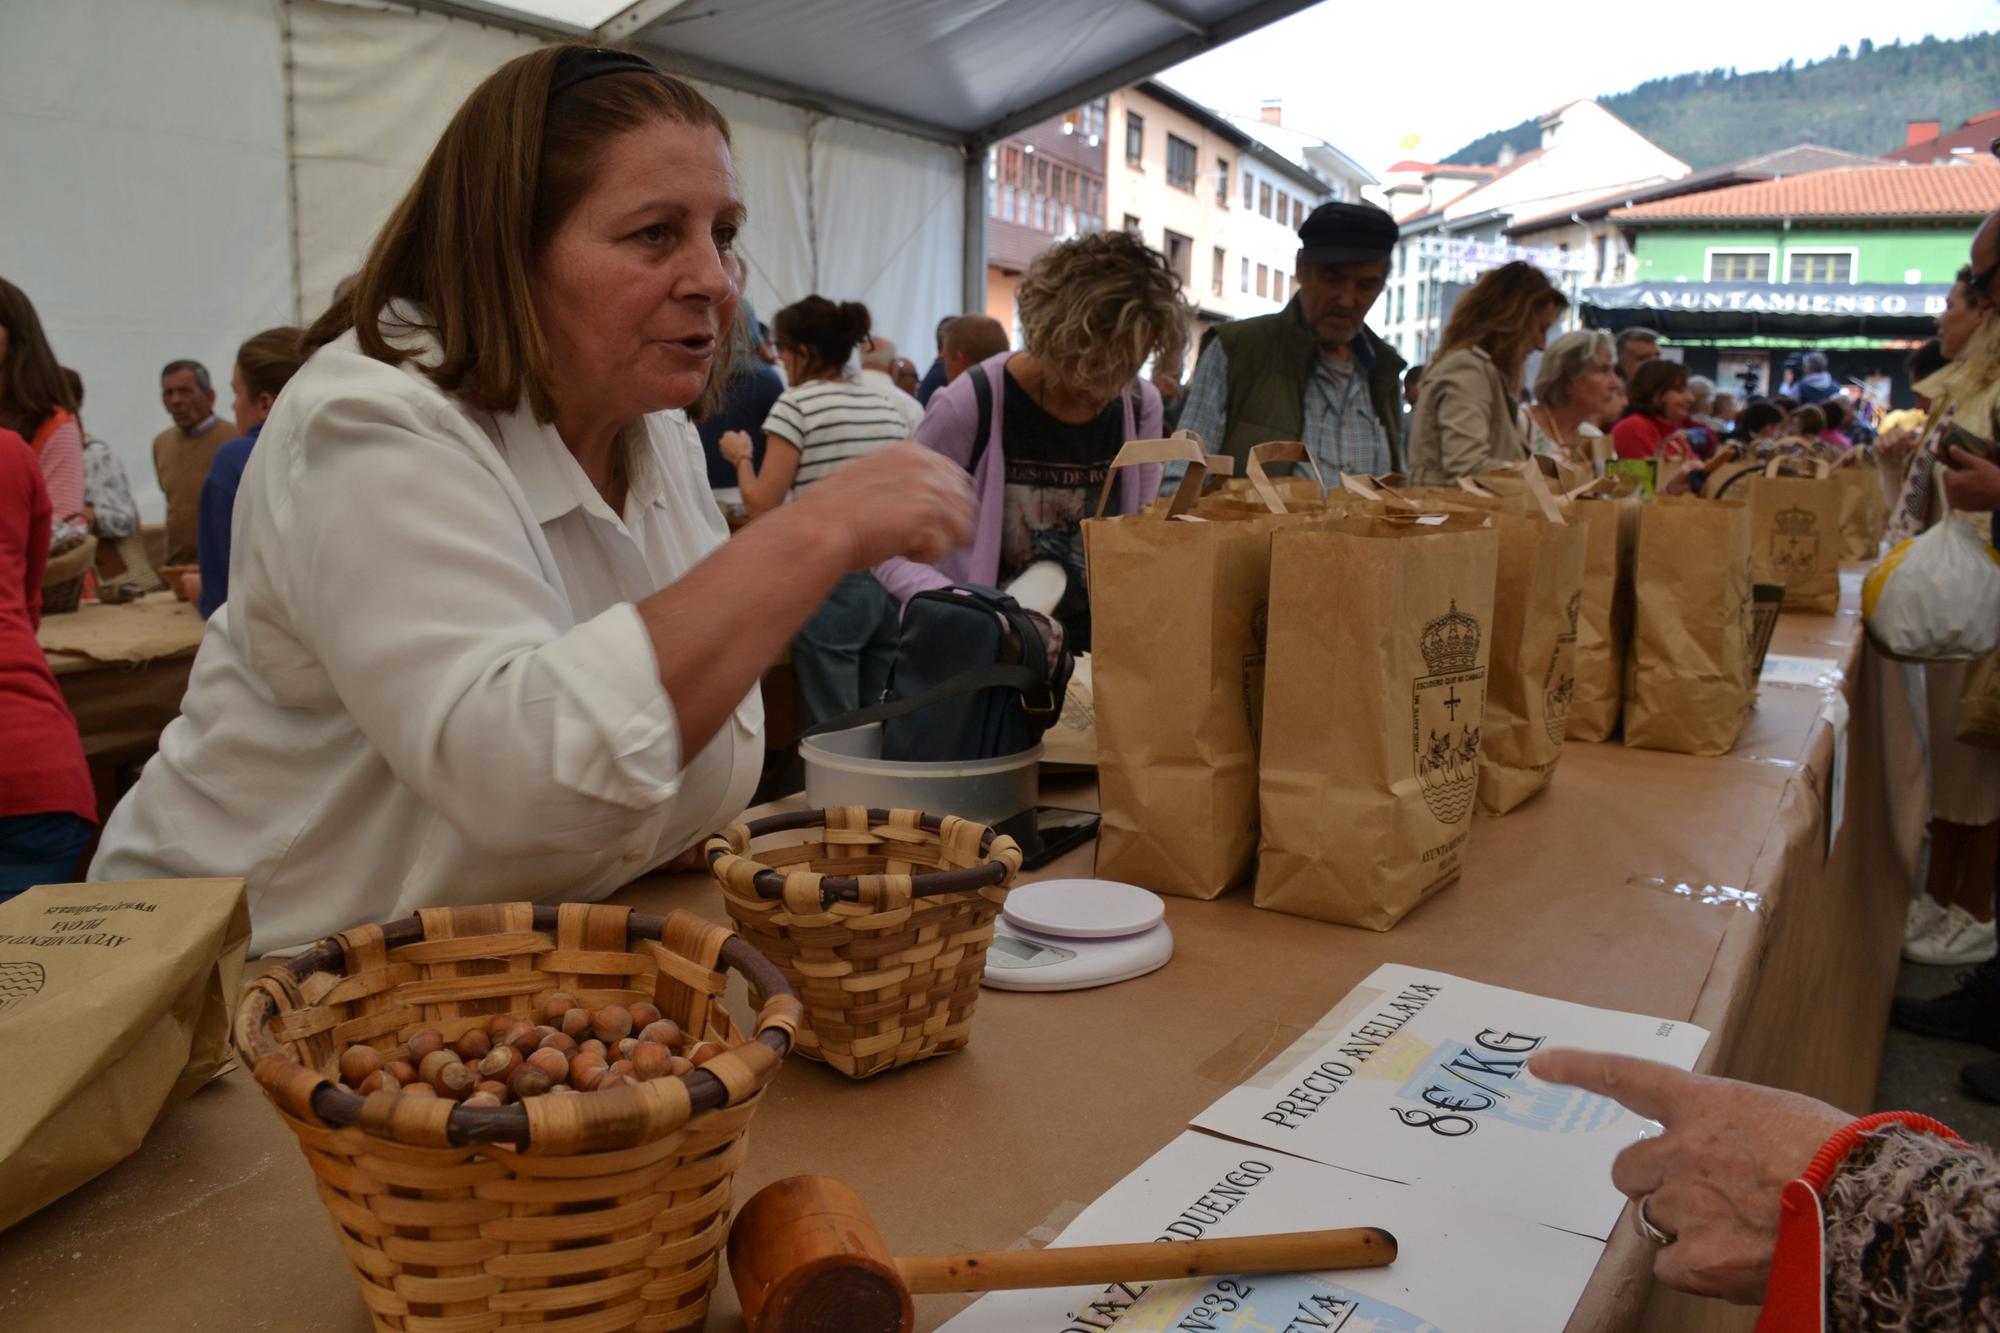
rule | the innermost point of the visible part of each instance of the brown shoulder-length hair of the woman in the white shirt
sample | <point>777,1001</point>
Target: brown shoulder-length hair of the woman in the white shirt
<point>463,243</point>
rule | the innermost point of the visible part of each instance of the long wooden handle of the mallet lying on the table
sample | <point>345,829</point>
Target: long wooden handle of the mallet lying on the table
<point>1301,1252</point>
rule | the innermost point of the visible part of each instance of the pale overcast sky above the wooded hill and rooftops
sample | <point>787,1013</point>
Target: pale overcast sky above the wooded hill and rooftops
<point>1367,77</point>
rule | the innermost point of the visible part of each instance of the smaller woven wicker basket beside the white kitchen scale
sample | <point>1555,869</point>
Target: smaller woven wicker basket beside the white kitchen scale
<point>881,924</point>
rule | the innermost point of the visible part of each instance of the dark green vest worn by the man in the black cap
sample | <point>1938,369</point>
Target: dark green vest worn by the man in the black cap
<point>1271,365</point>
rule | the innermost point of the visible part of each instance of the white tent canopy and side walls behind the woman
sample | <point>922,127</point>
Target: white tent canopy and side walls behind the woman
<point>185,173</point>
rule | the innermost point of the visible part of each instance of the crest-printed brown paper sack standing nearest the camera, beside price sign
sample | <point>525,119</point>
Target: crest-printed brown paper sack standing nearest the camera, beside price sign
<point>1379,649</point>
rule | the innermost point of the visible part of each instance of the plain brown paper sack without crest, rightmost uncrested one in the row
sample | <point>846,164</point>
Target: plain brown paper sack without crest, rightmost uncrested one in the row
<point>1689,684</point>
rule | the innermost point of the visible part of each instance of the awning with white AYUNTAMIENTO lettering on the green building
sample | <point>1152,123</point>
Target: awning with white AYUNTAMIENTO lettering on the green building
<point>1785,309</point>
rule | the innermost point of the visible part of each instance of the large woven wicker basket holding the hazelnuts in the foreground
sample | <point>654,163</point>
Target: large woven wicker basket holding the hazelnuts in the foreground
<point>595,1212</point>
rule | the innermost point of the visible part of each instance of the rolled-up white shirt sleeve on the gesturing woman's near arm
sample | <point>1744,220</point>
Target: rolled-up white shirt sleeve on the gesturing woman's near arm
<point>409,575</point>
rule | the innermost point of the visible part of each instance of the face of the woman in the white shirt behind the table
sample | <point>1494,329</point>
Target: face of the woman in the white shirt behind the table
<point>639,285</point>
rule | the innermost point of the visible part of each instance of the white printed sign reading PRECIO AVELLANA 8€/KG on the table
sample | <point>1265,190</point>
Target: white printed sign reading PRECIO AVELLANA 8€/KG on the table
<point>1423,1078</point>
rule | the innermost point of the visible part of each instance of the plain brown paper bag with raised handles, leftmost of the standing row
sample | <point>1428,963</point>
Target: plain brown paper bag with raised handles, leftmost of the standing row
<point>1177,613</point>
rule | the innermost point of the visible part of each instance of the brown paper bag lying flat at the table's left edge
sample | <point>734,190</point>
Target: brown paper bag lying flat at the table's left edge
<point>117,1002</point>
